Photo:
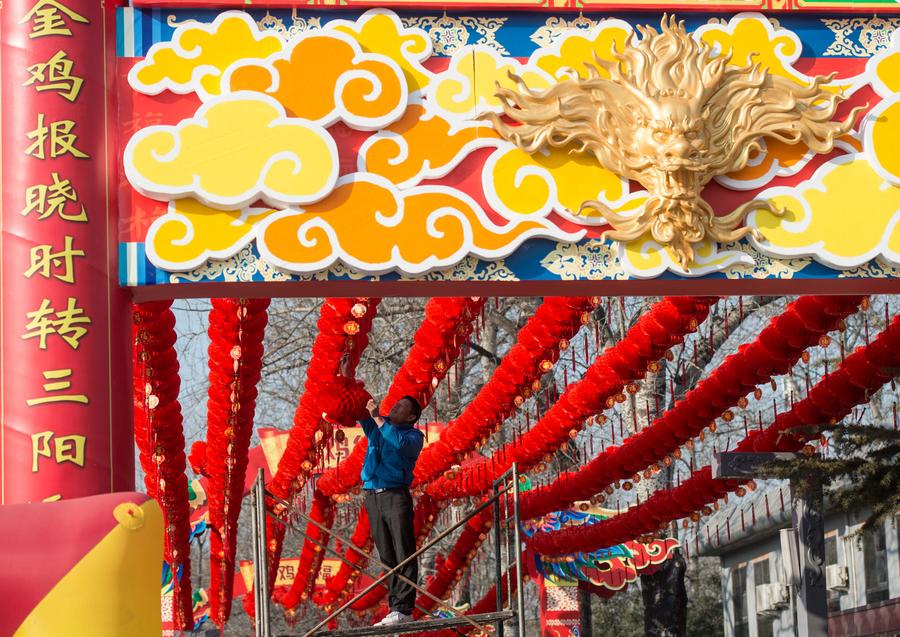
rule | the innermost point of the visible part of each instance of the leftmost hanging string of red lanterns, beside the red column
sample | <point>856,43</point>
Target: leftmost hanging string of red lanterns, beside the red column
<point>159,438</point>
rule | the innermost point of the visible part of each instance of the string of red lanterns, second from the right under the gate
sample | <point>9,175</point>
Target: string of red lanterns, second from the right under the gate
<point>774,352</point>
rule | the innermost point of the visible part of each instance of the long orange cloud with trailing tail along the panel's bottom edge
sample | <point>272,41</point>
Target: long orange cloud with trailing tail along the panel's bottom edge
<point>366,223</point>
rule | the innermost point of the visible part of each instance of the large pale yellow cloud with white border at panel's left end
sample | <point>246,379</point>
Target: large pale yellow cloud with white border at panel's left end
<point>235,150</point>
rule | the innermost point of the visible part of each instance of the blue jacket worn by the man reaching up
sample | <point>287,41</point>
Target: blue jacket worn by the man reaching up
<point>391,454</point>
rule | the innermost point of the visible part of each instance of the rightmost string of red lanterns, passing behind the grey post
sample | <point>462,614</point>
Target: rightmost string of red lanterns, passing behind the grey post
<point>830,400</point>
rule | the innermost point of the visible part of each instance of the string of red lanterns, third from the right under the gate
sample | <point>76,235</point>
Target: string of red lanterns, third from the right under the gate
<point>664,325</point>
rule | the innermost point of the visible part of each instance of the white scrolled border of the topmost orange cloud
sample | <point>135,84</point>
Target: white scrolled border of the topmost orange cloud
<point>339,112</point>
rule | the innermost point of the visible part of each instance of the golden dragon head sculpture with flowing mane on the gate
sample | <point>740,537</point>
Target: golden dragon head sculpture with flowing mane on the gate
<point>671,115</point>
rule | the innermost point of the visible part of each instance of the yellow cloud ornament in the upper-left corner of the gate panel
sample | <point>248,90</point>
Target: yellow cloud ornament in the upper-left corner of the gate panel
<point>198,54</point>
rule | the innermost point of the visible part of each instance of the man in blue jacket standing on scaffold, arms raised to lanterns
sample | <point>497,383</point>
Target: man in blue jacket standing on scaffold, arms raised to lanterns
<point>394,446</point>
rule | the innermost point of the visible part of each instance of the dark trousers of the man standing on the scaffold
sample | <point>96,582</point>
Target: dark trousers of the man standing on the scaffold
<point>391,520</point>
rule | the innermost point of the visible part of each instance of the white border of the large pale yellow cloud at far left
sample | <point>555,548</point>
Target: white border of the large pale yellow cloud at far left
<point>162,192</point>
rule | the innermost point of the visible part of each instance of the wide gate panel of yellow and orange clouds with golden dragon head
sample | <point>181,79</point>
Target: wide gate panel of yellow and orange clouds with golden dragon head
<point>352,148</point>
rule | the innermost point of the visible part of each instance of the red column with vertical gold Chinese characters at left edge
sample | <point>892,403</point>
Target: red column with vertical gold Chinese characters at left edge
<point>65,386</point>
